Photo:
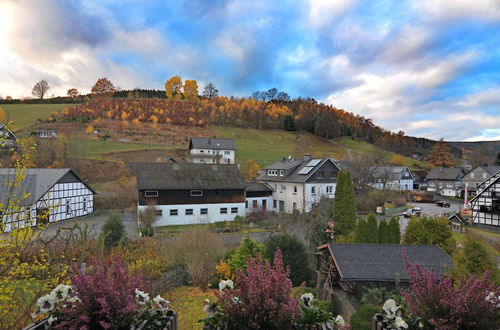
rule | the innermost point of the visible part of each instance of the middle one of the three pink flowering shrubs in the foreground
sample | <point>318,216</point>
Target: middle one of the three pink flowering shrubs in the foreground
<point>263,298</point>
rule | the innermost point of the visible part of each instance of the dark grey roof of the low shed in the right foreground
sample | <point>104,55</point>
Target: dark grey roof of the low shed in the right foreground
<point>384,262</point>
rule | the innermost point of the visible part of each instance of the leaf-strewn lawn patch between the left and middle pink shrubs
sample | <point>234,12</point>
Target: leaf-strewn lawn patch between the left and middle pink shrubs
<point>188,302</point>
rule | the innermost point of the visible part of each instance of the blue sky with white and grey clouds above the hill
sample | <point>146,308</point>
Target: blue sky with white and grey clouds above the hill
<point>428,67</point>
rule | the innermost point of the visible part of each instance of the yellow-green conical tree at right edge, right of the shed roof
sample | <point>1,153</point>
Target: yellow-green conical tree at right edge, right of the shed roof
<point>474,258</point>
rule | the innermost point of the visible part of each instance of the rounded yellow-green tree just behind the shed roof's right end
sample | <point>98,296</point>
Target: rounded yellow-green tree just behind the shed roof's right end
<point>430,230</point>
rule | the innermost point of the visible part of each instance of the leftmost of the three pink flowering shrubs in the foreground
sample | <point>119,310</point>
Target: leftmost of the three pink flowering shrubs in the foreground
<point>107,298</point>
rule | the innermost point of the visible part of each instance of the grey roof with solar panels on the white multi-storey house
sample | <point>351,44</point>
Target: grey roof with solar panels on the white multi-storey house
<point>295,165</point>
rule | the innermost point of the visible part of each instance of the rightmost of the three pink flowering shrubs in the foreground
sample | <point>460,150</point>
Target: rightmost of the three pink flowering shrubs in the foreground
<point>471,304</point>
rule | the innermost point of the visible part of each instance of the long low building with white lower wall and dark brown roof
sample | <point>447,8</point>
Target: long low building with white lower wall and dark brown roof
<point>187,193</point>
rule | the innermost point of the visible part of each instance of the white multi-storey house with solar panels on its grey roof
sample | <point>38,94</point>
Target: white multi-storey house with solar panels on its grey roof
<point>300,183</point>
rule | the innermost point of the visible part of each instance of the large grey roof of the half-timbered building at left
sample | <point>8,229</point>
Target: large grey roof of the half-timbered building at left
<point>36,182</point>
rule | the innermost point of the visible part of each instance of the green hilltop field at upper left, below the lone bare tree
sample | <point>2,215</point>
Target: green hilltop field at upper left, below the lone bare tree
<point>24,115</point>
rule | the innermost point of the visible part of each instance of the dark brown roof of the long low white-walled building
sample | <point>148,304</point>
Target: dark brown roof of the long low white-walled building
<point>181,176</point>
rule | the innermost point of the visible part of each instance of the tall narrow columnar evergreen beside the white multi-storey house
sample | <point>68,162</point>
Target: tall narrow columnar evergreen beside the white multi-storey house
<point>344,205</point>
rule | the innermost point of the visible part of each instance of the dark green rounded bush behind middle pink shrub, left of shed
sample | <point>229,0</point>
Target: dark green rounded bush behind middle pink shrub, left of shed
<point>294,256</point>
